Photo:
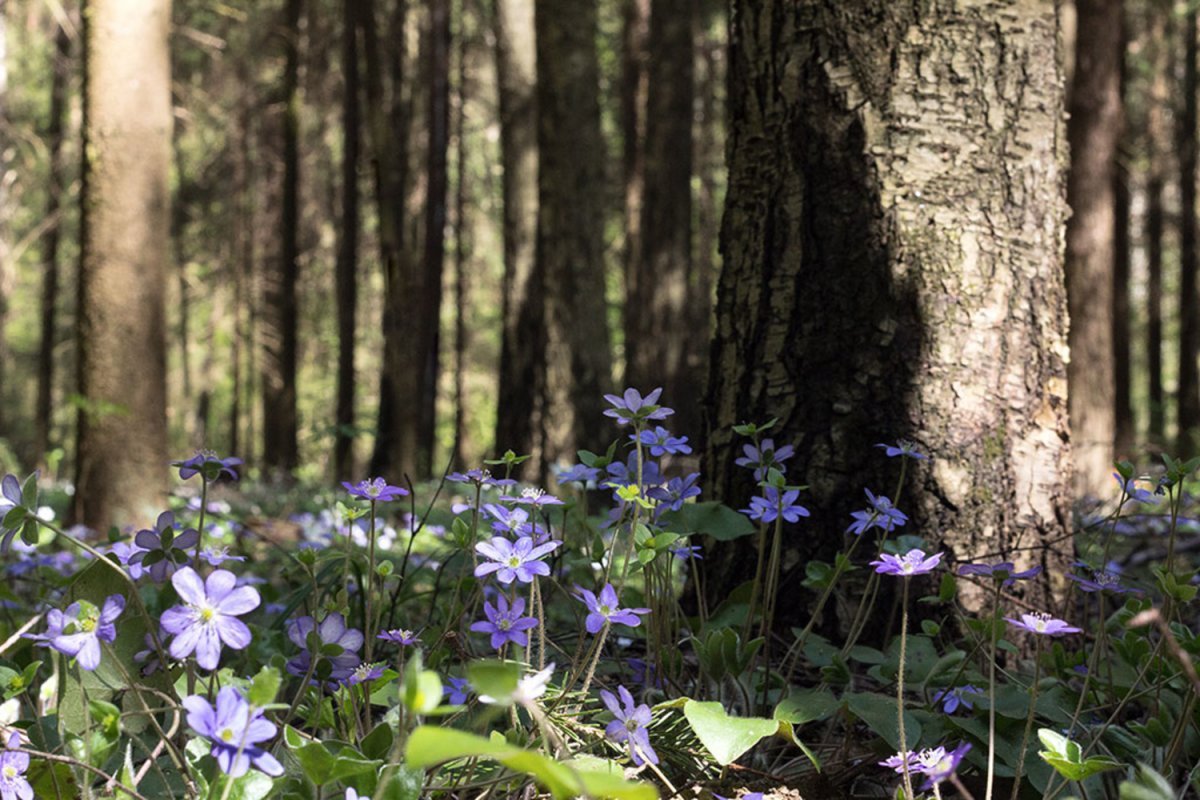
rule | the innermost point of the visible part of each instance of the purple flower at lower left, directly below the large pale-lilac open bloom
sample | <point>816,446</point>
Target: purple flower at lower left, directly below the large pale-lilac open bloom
<point>236,731</point>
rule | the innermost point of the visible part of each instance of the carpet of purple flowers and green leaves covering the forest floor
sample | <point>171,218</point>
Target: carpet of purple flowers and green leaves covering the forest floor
<point>477,637</point>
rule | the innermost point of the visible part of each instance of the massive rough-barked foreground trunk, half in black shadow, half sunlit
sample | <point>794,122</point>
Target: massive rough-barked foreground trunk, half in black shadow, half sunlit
<point>893,258</point>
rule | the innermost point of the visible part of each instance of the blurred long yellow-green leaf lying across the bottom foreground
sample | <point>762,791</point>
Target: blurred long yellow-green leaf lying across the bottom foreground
<point>428,747</point>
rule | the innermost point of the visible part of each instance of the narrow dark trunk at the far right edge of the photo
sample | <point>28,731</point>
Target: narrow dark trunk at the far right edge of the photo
<point>1190,299</point>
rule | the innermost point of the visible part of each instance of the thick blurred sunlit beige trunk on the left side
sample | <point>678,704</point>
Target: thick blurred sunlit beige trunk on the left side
<point>122,476</point>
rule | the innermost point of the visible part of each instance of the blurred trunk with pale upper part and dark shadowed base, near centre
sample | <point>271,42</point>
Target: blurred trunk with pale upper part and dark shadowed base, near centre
<point>519,402</point>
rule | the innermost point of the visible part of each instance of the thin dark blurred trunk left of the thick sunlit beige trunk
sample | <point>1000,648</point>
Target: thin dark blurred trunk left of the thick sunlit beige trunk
<point>51,238</point>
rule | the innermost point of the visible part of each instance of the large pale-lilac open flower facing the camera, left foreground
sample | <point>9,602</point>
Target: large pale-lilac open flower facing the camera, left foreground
<point>209,616</point>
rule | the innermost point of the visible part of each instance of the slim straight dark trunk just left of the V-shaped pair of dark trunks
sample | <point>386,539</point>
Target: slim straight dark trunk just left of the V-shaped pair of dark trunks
<point>349,245</point>
